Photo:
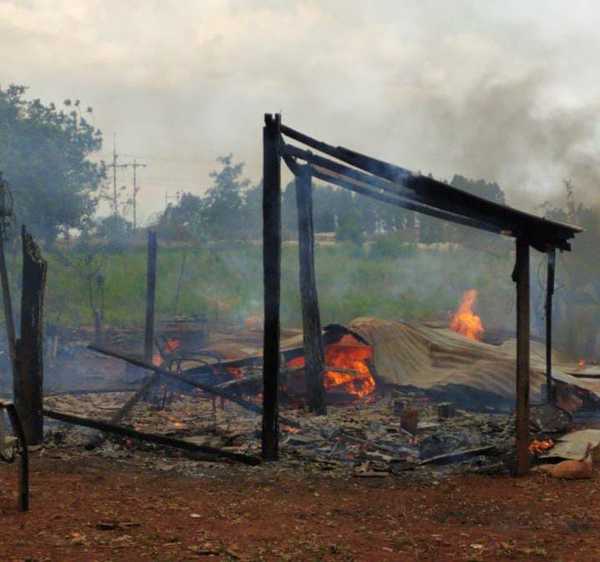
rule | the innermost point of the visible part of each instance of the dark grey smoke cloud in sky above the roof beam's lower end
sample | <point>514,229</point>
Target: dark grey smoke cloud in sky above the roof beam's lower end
<point>507,131</point>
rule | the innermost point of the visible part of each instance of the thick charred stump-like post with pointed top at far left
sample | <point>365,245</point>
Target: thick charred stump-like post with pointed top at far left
<point>28,385</point>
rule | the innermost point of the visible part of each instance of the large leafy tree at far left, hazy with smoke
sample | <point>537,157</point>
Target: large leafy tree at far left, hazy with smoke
<point>44,155</point>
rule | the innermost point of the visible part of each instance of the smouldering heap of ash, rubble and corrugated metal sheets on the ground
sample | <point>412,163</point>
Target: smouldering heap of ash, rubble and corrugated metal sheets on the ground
<point>403,399</point>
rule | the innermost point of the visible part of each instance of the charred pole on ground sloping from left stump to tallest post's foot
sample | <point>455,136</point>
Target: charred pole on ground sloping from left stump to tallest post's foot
<point>151,438</point>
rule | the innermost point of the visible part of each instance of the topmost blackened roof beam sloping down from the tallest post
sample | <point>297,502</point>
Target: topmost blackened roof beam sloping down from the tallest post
<point>541,232</point>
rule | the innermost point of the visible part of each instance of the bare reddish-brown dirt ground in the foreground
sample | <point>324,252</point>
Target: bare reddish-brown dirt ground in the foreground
<point>92,510</point>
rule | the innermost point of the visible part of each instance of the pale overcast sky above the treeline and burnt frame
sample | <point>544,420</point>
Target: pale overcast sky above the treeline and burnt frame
<point>504,90</point>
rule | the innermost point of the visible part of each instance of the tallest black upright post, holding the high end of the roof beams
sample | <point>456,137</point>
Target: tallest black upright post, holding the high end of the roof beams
<point>272,284</point>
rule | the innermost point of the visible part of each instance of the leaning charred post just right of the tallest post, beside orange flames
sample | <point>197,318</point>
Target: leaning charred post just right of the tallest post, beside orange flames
<point>311,320</point>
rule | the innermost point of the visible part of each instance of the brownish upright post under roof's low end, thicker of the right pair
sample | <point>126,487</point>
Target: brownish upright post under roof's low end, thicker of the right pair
<point>521,276</point>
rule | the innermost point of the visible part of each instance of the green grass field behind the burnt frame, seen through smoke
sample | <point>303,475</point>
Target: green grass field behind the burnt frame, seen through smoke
<point>226,283</point>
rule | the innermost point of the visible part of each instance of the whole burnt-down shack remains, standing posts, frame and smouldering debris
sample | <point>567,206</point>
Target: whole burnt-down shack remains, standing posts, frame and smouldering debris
<point>377,396</point>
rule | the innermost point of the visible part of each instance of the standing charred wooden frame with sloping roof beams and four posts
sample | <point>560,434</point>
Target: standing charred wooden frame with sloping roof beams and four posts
<point>400,187</point>
